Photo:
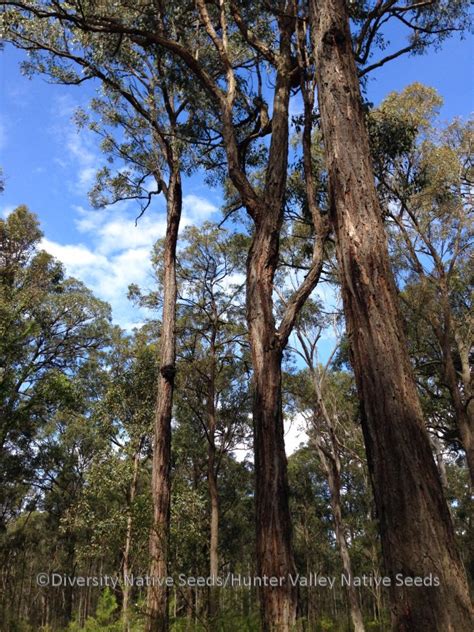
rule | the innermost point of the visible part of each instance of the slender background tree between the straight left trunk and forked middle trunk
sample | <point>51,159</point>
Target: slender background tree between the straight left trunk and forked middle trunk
<point>212,351</point>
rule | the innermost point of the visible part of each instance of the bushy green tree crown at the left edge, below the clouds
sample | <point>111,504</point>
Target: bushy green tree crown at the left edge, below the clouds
<point>50,325</point>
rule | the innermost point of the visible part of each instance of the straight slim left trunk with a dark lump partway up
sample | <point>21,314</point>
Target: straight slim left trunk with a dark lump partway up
<point>157,597</point>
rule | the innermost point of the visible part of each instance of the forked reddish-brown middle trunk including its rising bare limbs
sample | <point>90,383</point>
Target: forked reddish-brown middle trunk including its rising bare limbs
<point>278,605</point>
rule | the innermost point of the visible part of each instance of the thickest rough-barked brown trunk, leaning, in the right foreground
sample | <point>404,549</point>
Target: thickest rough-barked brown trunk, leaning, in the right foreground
<point>416,530</point>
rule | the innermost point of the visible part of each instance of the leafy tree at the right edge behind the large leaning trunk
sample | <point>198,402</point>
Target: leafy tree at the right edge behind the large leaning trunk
<point>428,202</point>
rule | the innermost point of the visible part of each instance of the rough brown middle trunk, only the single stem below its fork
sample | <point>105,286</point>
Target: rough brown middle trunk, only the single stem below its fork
<point>274,551</point>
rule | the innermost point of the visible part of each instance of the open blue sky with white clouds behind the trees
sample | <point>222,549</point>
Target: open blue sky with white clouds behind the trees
<point>49,166</point>
